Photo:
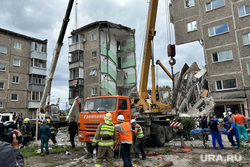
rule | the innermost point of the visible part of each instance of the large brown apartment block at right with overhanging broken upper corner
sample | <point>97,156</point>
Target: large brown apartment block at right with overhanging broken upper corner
<point>223,29</point>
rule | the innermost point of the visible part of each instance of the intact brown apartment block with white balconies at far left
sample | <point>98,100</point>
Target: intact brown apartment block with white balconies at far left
<point>22,72</point>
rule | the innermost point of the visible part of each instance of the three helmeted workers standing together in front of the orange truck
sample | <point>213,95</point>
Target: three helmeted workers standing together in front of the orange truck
<point>106,137</point>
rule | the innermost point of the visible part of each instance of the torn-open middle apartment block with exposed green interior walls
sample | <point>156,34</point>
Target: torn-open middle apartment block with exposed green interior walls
<point>102,60</point>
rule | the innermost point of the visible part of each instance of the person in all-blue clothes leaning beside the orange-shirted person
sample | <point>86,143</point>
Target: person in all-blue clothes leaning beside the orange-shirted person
<point>232,131</point>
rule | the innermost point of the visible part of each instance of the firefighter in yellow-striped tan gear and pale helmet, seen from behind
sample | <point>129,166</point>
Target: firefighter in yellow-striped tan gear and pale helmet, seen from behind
<point>107,135</point>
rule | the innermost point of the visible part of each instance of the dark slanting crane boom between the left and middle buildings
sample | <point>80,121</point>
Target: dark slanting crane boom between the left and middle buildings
<point>56,55</point>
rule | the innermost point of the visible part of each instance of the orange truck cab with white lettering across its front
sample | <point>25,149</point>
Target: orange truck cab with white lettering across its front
<point>94,110</point>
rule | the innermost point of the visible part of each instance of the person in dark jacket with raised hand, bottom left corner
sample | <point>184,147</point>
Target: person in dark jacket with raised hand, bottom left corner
<point>10,154</point>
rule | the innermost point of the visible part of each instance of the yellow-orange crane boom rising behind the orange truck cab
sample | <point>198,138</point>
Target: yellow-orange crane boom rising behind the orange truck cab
<point>150,33</point>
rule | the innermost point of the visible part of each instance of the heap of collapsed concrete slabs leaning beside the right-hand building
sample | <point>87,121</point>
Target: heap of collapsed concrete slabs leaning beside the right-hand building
<point>190,96</point>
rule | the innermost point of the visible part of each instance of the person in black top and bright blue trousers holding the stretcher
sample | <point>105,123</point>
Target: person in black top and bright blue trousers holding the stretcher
<point>214,127</point>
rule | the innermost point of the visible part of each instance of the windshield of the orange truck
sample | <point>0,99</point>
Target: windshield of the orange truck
<point>100,104</point>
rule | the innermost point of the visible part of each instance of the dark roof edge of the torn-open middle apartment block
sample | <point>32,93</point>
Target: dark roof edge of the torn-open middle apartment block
<point>103,24</point>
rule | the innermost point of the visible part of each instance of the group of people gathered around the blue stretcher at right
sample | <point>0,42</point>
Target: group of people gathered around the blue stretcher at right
<point>234,125</point>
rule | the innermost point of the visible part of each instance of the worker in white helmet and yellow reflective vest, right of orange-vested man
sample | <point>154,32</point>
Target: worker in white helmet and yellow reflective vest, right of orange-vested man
<point>139,141</point>
